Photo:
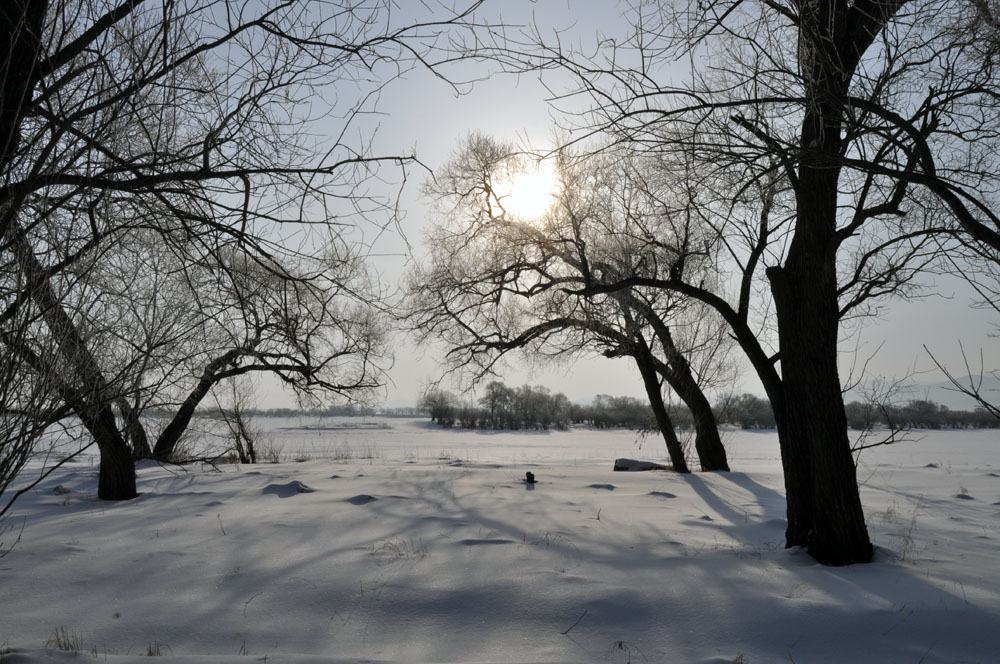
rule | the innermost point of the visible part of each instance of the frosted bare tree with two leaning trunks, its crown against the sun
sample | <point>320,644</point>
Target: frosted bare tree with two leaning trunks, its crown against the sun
<point>497,283</point>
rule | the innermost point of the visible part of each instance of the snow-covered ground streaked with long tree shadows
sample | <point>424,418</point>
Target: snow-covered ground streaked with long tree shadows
<point>417,544</point>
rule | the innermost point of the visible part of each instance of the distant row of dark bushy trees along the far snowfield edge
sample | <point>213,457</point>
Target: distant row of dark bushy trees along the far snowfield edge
<point>536,407</point>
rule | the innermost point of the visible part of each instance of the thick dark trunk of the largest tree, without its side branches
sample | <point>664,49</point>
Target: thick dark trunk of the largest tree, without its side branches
<point>819,468</point>
